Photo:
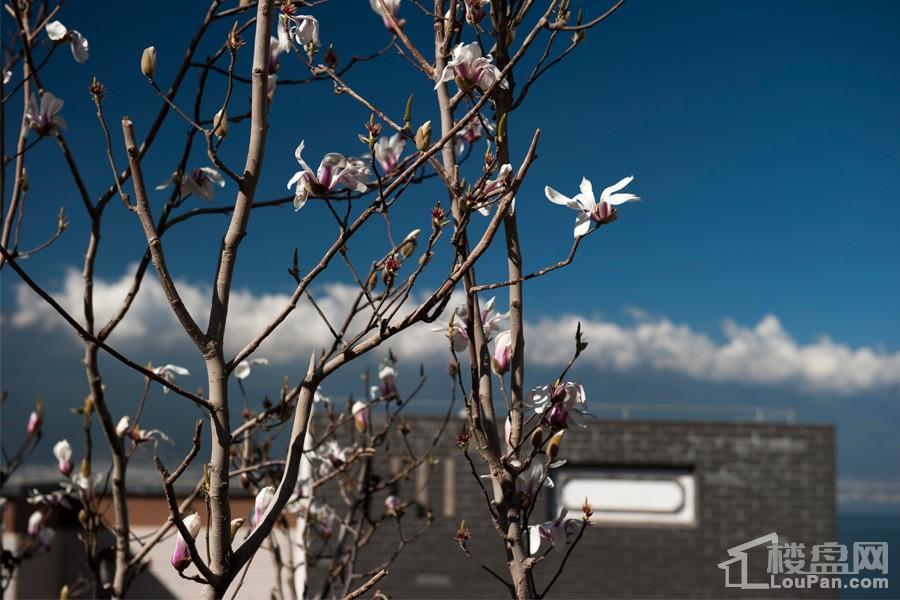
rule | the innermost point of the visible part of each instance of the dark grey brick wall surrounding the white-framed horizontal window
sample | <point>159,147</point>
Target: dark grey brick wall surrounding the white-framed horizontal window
<point>751,479</point>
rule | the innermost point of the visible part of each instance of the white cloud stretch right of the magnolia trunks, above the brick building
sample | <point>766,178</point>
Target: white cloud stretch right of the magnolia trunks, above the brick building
<point>765,354</point>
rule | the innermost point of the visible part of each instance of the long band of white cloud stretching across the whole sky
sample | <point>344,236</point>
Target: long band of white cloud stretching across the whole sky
<point>765,354</point>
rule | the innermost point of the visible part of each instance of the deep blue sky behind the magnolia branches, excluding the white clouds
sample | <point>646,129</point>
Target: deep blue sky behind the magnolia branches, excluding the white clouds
<point>763,138</point>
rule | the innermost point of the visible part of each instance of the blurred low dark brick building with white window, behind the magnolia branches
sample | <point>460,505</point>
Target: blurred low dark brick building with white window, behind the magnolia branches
<point>670,499</point>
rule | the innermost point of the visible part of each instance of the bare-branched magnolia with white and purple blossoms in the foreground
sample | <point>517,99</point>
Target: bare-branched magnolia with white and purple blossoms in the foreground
<point>485,58</point>
